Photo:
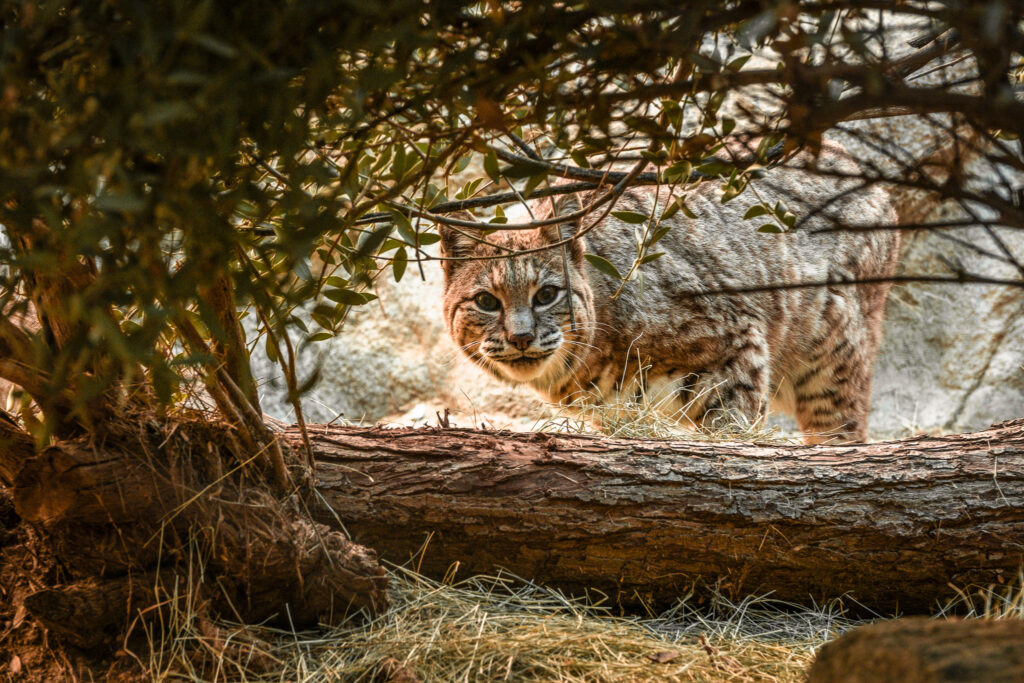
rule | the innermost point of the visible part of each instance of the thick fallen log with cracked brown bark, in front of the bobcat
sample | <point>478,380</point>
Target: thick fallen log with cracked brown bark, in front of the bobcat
<point>898,526</point>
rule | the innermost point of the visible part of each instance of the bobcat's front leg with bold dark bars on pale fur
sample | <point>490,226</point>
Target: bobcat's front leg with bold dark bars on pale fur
<point>737,388</point>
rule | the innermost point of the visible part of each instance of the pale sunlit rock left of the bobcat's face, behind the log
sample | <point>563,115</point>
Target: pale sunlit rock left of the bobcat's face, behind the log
<point>395,360</point>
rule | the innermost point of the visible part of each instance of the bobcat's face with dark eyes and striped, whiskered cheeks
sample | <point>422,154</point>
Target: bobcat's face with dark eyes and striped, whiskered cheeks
<point>511,316</point>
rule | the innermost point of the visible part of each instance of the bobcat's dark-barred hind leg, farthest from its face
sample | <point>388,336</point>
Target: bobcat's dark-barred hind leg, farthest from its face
<point>832,392</point>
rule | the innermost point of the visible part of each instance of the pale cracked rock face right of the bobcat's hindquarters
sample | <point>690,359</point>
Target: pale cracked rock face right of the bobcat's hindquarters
<point>953,358</point>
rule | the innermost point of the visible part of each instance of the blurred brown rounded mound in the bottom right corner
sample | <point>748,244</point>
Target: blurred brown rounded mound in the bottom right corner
<point>924,651</point>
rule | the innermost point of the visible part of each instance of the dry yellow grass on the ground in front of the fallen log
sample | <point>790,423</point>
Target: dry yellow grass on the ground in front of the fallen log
<point>498,629</point>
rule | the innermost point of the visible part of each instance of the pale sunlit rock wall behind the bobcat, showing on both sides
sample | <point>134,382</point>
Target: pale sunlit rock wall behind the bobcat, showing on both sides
<point>953,358</point>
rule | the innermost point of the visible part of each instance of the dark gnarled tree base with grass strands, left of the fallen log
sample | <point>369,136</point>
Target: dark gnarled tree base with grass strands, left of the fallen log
<point>124,520</point>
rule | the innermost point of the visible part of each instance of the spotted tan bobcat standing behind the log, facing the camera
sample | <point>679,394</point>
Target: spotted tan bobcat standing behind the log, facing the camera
<point>807,352</point>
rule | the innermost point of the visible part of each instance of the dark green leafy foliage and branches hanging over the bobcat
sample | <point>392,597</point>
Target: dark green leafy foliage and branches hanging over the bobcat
<point>163,164</point>
